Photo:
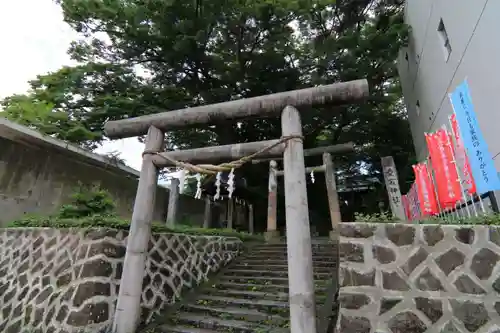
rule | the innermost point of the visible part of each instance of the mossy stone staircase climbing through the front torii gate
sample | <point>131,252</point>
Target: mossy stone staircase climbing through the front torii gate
<point>250,295</point>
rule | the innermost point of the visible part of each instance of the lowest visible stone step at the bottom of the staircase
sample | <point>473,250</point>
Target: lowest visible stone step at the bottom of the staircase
<point>222,325</point>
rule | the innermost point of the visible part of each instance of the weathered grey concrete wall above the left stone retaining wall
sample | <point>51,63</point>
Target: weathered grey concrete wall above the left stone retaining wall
<point>38,174</point>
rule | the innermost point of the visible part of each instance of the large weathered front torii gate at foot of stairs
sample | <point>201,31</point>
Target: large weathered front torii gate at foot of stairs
<point>300,274</point>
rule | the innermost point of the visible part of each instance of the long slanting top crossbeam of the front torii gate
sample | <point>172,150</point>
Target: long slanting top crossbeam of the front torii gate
<point>267,105</point>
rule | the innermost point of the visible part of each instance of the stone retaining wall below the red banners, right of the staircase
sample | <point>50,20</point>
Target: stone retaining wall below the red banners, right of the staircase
<point>419,278</point>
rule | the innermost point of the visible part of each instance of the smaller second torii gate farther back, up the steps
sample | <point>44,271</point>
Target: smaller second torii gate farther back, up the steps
<point>272,233</point>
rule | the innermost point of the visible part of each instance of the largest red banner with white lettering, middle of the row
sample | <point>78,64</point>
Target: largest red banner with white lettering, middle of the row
<point>446,176</point>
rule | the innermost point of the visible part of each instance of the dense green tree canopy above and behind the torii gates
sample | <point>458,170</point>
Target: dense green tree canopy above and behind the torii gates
<point>140,57</point>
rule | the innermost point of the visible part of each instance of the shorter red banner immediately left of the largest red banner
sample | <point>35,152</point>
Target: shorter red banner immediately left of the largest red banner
<point>425,190</point>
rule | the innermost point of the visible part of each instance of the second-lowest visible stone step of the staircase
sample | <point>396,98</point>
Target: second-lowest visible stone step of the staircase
<point>237,313</point>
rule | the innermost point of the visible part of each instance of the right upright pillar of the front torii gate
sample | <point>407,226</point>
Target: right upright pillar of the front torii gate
<point>300,268</point>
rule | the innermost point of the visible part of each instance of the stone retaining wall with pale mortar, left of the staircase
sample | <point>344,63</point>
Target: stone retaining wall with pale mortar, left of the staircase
<point>55,281</point>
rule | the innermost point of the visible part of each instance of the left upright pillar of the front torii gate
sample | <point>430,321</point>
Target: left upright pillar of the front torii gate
<point>128,307</point>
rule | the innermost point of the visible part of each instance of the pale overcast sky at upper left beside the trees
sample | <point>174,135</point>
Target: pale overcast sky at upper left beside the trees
<point>34,41</point>
